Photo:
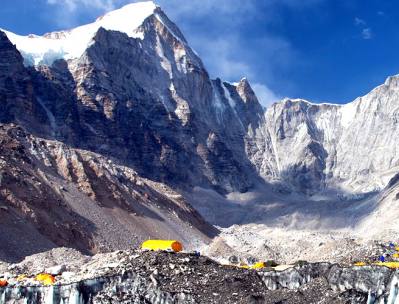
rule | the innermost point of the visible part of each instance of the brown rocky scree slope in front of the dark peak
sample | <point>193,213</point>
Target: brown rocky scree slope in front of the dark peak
<point>54,195</point>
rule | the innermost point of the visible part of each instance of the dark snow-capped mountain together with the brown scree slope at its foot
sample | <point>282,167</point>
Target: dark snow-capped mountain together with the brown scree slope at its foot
<point>106,120</point>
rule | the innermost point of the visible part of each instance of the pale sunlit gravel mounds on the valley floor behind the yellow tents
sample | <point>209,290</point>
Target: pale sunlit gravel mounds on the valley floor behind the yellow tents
<point>288,246</point>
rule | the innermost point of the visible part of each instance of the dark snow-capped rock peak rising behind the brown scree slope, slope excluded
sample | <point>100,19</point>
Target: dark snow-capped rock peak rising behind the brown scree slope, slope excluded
<point>136,91</point>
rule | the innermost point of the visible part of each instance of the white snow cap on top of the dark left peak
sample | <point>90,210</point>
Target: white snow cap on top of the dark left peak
<point>44,50</point>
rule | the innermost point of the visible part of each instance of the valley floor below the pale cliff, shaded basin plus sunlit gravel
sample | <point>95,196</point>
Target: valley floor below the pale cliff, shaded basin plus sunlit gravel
<point>286,228</point>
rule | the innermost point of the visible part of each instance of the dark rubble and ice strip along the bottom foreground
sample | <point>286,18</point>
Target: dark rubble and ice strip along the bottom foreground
<point>162,277</point>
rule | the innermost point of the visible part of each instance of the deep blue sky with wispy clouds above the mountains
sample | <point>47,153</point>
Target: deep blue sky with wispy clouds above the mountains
<point>321,50</point>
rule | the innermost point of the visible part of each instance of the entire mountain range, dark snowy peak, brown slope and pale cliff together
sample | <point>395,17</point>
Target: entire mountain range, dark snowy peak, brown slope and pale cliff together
<point>110,130</point>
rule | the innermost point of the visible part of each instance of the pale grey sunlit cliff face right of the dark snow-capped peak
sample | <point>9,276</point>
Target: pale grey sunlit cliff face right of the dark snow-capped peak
<point>348,148</point>
